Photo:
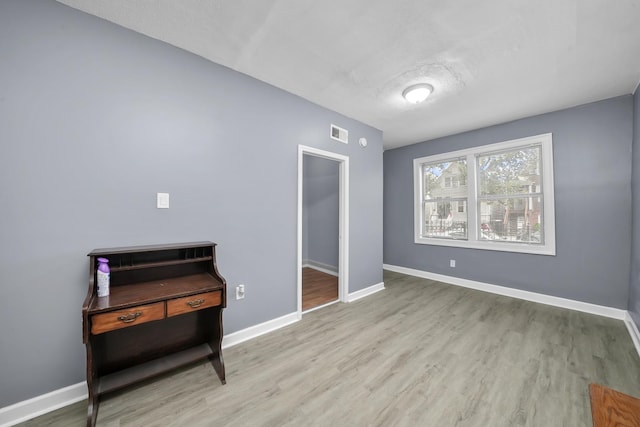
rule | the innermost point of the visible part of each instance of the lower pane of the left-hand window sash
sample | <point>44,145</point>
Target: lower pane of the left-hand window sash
<point>443,219</point>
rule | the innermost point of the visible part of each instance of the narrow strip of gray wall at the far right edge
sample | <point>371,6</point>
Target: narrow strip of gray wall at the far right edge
<point>634,288</point>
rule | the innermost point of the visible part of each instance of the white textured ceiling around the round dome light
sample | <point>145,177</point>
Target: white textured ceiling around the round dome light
<point>489,61</point>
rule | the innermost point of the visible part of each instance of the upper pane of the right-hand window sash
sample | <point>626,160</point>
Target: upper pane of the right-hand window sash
<point>510,172</point>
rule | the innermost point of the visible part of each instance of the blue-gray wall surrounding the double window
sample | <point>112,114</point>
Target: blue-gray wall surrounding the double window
<point>592,167</point>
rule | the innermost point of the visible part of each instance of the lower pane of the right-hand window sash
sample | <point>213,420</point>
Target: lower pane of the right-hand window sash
<point>512,220</point>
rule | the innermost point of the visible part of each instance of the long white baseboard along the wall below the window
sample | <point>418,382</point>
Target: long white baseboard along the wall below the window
<point>586,307</point>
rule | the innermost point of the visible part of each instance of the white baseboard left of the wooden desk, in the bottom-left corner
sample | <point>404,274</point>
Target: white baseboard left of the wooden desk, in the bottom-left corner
<point>39,405</point>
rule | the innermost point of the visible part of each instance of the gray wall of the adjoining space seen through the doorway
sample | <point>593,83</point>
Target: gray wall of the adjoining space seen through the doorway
<point>321,203</point>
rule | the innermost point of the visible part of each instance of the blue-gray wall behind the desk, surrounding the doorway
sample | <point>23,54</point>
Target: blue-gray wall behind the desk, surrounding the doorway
<point>94,120</point>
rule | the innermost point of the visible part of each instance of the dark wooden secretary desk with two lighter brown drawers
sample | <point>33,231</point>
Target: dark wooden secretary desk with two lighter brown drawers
<point>164,311</point>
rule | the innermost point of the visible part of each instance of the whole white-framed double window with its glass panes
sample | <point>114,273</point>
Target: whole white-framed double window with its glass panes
<point>496,197</point>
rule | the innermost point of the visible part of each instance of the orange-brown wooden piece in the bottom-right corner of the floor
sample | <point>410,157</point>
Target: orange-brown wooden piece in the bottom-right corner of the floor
<point>610,408</point>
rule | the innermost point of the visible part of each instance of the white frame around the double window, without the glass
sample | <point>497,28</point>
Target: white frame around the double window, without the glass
<point>547,248</point>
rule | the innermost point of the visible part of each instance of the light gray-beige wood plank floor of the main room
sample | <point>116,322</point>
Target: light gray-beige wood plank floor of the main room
<point>419,353</point>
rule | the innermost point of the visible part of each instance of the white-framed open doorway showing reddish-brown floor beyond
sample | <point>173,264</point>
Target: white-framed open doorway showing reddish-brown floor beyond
<point>322,267</point>
